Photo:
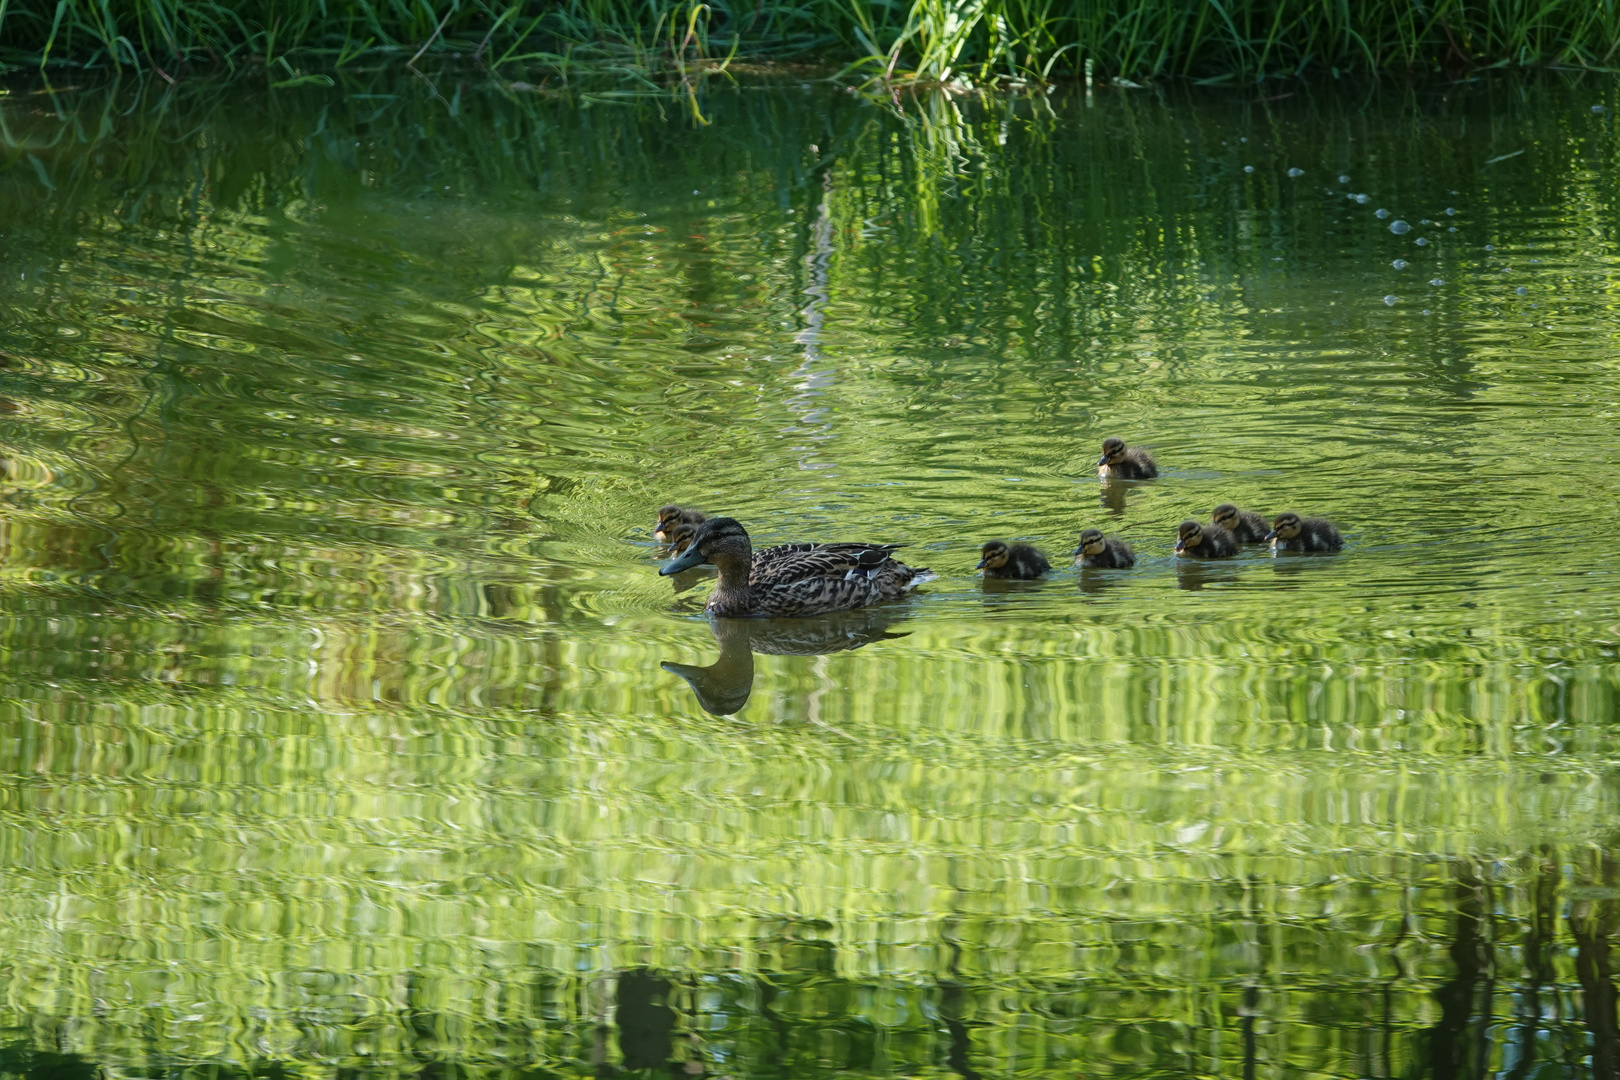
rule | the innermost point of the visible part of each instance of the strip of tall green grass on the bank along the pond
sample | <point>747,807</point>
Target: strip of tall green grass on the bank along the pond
<point>911,40</point>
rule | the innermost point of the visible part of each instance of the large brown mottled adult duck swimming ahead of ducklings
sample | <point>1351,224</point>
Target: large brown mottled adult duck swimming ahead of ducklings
<point>795,579</point>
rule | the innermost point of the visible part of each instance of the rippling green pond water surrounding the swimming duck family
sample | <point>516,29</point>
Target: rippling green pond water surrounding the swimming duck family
<point>347,728</point>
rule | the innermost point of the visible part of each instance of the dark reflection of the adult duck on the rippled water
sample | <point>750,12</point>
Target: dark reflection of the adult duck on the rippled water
<point>725,686</point>
